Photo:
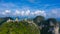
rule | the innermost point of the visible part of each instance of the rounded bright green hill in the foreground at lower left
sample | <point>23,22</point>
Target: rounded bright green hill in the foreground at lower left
<point>20,27</point>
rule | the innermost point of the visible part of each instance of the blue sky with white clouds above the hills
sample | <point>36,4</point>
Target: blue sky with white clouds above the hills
<point>30,8</point>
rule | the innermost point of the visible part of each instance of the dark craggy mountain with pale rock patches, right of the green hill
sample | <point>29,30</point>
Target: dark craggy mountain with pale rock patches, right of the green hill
<point>49,26</point>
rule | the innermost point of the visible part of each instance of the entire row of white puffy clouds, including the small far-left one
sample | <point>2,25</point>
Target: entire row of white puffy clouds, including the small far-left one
<point>24,13</point>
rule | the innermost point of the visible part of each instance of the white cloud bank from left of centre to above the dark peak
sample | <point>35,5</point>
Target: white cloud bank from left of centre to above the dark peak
<point>28,13</point>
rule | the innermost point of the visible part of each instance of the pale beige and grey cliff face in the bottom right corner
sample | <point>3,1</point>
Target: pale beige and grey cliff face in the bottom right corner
<point>54,28</point>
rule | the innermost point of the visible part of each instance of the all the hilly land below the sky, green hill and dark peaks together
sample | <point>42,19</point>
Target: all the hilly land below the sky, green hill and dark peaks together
<point>37,25</point>
